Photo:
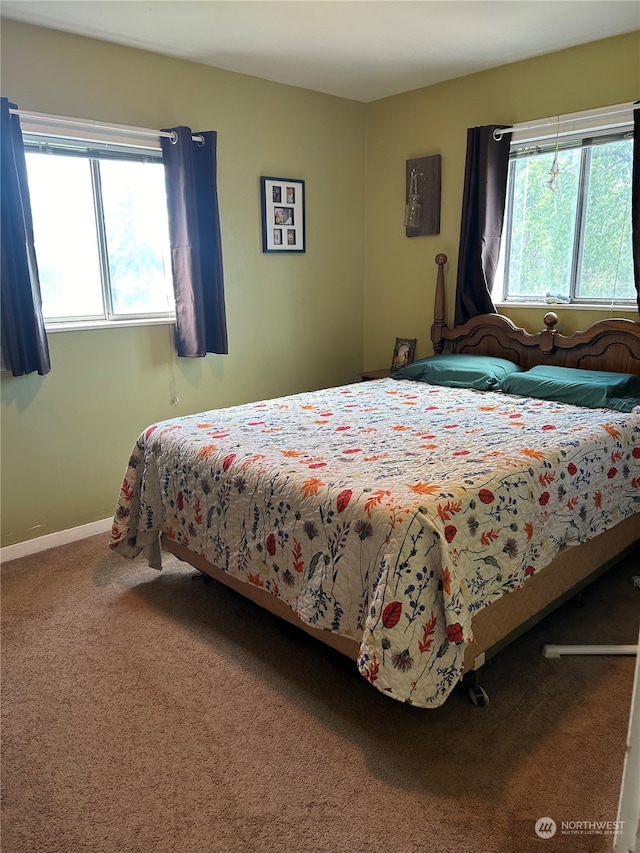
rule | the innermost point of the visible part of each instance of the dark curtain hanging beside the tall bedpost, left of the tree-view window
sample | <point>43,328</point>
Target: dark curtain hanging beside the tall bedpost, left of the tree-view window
<point>483,201</point>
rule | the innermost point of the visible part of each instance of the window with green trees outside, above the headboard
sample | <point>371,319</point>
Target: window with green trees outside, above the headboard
<point>568,239</point>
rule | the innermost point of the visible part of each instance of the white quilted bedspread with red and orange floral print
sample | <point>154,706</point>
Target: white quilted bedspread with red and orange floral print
<point>387,511</point>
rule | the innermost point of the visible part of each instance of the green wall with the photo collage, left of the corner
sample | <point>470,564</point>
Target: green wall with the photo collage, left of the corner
<point>295,322</point>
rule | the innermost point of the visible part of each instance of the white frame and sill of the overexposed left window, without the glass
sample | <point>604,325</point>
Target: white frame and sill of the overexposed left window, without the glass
<point>93,151</point>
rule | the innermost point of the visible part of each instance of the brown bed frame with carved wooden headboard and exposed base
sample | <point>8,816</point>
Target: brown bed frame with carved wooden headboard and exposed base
<point>612,344</point>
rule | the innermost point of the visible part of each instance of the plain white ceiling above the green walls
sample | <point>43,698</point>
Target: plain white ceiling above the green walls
<point>358,49</point>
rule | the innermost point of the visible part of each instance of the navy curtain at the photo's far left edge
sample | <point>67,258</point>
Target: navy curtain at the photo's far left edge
<point>24,339</point>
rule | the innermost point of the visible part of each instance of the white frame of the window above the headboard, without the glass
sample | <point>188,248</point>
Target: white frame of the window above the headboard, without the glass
<point>582,137</point>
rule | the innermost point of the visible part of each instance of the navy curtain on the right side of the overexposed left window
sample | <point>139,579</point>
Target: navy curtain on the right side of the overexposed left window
<point>196,245</point>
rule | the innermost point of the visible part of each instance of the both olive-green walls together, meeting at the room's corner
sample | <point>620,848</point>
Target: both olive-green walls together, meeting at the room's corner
<point>295,322</point>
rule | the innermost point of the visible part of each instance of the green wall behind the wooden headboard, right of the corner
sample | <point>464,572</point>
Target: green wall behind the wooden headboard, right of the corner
<point>400,271</point>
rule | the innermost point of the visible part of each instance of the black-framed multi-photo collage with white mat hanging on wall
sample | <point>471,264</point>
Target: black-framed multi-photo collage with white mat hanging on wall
<point>283,215</point>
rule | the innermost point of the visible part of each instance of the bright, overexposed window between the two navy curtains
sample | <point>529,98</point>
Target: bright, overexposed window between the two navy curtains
<point>101,230</point>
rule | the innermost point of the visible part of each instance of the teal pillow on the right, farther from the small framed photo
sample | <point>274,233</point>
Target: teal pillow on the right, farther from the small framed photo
<point>594,389</point>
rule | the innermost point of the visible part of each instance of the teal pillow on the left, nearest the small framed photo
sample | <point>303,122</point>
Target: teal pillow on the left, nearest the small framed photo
<point>459,370</point>
